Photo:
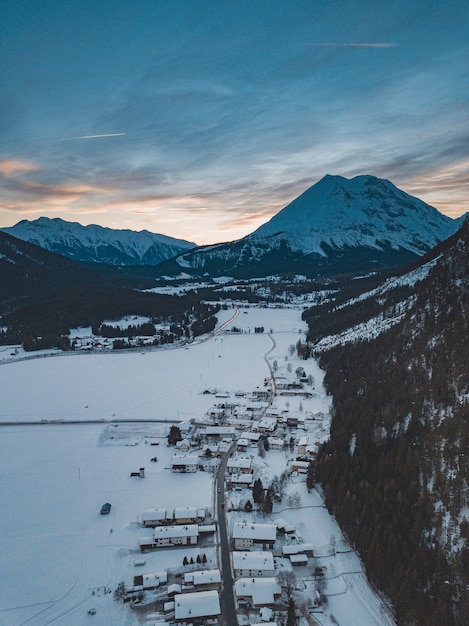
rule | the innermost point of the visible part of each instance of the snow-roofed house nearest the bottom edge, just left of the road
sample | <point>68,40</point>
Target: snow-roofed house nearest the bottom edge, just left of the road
<point>198,608</point>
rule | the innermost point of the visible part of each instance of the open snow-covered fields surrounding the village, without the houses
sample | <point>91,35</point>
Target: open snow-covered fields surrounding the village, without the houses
<point>60,557</point>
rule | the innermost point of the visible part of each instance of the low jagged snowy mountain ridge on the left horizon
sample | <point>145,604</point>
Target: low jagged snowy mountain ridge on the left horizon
<point>98,244</point>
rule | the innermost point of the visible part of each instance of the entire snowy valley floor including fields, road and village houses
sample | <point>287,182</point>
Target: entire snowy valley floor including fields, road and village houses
<point>193,484</point>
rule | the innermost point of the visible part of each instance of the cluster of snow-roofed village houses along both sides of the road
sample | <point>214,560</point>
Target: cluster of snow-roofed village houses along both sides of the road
<point>271,565</point>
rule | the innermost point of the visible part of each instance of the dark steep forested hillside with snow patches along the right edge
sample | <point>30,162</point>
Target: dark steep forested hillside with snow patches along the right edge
<point>396,467</point>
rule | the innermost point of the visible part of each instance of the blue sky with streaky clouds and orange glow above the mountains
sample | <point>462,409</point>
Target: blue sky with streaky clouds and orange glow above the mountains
<point>200,119</point>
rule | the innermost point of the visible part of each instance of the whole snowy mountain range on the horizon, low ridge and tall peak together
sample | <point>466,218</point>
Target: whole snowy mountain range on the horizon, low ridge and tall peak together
<point>337,226</point>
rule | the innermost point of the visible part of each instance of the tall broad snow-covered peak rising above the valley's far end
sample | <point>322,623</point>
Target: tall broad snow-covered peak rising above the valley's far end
<point>336,226</point>
